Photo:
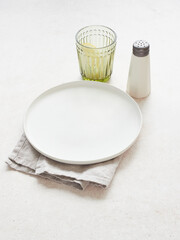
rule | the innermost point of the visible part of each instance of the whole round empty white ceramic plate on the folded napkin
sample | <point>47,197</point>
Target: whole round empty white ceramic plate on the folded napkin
<point>82,122</point>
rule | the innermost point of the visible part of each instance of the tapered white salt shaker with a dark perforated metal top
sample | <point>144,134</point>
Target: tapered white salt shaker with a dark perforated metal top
<point>139,85</point>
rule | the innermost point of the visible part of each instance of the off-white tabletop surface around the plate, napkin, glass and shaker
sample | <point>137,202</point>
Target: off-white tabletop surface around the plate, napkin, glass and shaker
<point>37,51</point>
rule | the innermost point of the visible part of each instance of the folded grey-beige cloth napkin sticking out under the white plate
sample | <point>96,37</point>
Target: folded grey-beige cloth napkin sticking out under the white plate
<point>26,159</point>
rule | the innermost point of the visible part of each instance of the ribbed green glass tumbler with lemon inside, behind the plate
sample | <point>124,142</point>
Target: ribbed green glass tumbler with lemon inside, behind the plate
<point>95,48</point>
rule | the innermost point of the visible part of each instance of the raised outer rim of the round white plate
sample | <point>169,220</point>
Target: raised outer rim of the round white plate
<point>71,84</point>
